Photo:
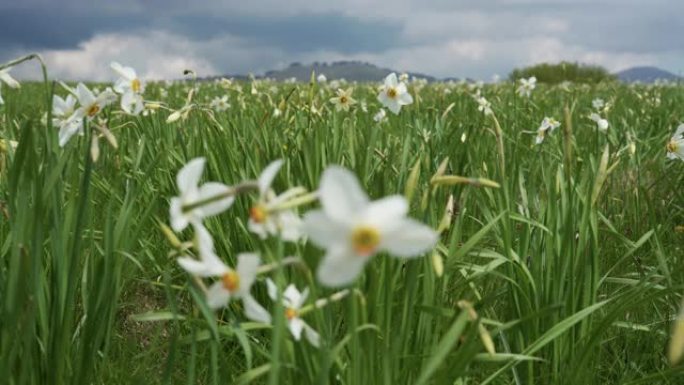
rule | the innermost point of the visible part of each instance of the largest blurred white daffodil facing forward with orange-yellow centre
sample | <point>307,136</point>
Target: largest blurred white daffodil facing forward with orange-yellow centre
<point>353,229</point>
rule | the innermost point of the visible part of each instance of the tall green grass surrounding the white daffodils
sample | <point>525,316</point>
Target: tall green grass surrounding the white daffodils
<point>571,267</point>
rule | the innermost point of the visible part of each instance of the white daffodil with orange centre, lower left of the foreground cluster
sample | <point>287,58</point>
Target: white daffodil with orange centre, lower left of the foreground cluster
<point>233,284</point>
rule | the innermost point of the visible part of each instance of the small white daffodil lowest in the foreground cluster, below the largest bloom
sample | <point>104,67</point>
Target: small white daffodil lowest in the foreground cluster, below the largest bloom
<point>293,300</point>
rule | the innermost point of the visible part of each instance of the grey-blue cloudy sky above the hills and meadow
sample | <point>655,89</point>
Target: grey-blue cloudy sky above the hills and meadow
<point>160,38</point>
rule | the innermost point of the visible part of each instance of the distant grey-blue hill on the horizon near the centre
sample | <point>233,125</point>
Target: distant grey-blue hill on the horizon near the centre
<point>349,70</point>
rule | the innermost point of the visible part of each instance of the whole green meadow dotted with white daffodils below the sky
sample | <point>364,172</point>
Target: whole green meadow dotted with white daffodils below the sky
<point>329,232</point>
